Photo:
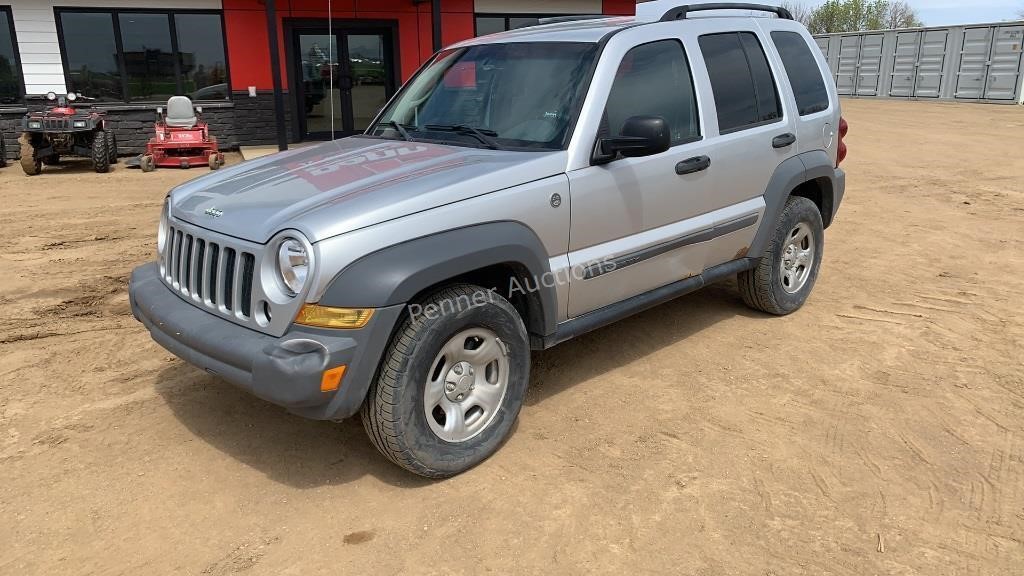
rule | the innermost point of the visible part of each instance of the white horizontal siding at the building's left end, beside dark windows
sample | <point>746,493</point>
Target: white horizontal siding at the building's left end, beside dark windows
<point>36,30</point>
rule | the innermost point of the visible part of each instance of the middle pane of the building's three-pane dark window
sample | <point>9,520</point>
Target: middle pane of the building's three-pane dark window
<point>146,40</point>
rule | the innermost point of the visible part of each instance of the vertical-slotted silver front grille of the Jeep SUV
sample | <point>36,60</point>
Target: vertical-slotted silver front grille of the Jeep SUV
<point>209,272</point>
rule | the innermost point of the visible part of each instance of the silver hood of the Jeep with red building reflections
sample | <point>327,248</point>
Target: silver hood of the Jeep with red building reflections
<point>338,187</point>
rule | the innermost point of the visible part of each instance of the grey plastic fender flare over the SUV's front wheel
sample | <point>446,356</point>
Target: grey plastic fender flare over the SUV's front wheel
<point>396,275</point>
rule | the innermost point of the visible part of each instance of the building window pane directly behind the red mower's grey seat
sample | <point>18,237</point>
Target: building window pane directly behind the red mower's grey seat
<point>201,57</point>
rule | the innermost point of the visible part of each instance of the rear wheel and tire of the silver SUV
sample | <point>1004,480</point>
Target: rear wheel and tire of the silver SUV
<point>787,272</point>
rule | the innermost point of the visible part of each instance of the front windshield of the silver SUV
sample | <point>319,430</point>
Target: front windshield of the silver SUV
<point>517,96</point>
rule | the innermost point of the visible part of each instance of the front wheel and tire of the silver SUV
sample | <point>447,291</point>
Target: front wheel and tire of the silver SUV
<point>485,334</point>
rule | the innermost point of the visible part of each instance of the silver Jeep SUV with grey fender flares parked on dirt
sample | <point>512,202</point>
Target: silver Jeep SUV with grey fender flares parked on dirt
<point>523,189</point>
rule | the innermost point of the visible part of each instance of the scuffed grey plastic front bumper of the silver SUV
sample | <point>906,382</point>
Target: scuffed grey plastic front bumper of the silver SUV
<point>286,372</point>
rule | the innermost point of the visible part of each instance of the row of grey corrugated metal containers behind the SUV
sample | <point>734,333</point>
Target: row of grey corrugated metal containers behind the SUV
<point>984,63</point>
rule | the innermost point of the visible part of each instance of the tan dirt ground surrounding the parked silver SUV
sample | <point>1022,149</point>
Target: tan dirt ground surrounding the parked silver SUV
<point>879,431</point>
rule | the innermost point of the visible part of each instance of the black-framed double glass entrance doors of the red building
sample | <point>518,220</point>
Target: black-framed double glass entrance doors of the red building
<point>343,80</point>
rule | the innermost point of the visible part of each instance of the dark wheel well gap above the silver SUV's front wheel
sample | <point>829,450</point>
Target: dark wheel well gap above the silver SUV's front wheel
<point>515,282</point>
